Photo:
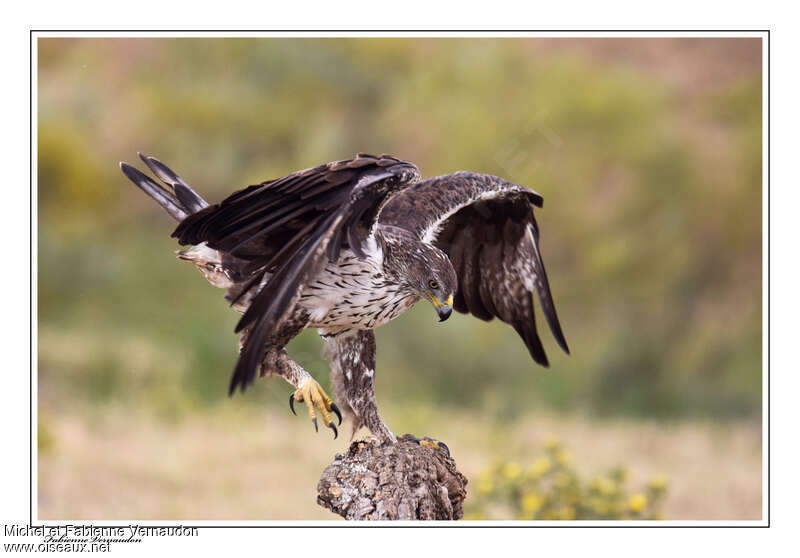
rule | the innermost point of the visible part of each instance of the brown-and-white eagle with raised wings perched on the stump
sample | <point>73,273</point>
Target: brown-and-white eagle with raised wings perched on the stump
<point>349,246</point>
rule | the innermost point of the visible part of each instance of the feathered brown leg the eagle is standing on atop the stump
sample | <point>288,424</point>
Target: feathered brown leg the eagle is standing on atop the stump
<point>352,358</point>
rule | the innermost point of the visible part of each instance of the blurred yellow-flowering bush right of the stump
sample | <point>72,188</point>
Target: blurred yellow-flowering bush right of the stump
<point>551,489</point>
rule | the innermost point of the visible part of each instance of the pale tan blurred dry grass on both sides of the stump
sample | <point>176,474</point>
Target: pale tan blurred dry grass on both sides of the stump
<point>239,463</point>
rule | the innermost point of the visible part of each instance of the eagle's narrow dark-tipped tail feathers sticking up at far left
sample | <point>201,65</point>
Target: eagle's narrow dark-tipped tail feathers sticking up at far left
<point>178,199</point>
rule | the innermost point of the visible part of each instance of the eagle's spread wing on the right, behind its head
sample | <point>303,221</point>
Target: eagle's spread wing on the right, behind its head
<point>487,228</point>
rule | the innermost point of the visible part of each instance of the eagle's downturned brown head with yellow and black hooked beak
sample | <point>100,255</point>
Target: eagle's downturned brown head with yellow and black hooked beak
<point>432,277</point>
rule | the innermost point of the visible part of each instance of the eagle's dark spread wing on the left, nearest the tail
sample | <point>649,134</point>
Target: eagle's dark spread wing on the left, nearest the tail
<point>285,229</point>
